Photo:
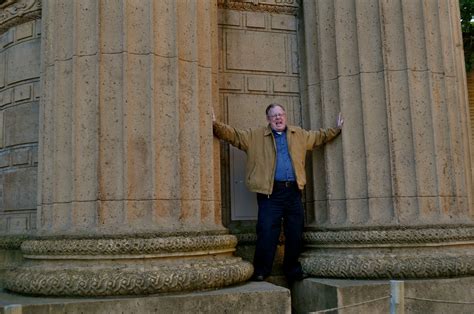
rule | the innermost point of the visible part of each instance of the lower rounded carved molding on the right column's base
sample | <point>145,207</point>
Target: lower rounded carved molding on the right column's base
<point>384,266</point>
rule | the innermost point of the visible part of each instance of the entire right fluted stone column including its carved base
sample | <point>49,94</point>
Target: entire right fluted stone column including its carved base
<point>392,197</point>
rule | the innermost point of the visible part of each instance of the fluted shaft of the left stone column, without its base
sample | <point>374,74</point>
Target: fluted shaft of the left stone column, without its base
<point>123,111</point>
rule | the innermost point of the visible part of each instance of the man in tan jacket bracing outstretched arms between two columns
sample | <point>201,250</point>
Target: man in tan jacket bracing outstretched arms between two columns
<point>275,170</point>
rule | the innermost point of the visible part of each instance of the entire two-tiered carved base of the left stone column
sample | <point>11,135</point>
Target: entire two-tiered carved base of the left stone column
<point>138,266</point>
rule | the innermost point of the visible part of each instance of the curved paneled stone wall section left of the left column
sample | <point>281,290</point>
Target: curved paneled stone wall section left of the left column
<point>19,98</point>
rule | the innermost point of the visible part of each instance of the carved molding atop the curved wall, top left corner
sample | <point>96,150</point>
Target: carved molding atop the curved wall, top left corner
<point>14,12</point>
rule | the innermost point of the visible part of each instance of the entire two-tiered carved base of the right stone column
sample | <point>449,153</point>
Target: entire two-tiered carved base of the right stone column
<point>410,253</point>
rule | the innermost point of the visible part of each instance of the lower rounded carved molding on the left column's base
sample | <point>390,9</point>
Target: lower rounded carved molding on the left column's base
<point>120,280</point>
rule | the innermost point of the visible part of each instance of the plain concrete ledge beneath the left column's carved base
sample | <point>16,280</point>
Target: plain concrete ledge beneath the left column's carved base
<point>251,297</point>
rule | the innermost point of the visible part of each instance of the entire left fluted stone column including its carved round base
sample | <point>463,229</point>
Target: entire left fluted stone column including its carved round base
<point>128,169</point>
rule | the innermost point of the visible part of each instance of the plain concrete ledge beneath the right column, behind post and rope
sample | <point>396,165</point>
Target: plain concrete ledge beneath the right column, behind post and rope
<point>319,294</point>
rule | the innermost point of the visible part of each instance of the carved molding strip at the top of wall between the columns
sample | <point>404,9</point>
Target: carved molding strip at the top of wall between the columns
<point>289,7</point>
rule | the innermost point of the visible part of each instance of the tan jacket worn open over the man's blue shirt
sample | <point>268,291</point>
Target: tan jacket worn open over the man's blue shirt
<point>259,144</point>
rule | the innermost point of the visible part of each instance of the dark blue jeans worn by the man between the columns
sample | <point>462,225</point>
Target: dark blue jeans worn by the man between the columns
<point>284,203</point>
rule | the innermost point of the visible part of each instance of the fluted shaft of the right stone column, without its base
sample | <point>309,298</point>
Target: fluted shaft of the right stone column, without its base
<point>387,66</point>
